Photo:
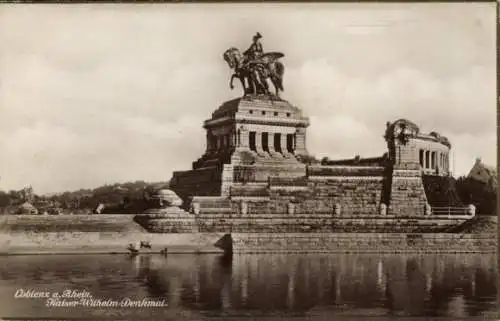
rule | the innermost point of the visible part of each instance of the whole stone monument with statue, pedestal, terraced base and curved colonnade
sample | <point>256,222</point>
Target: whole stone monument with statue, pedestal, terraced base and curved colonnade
<point>255,174</point>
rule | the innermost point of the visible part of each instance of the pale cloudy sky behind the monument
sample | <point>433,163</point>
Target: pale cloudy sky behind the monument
<point>94,94</point>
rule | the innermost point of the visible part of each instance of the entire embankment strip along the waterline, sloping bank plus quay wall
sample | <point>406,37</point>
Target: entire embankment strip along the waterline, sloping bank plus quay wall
<point>64,234</point>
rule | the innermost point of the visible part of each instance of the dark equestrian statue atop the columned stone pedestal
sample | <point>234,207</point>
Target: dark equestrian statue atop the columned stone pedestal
<point>254,67</point>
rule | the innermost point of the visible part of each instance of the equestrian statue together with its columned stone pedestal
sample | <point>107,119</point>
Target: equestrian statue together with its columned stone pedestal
<point>250,138</point>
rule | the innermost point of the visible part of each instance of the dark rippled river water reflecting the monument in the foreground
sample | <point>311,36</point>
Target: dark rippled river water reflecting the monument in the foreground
<point>201,287</point>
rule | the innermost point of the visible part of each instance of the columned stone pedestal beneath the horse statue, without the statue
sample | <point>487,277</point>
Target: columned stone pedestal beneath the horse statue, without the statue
<point>230,153</point>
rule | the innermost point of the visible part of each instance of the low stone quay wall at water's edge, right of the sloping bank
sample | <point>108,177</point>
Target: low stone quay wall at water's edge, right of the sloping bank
<point>363,243</point>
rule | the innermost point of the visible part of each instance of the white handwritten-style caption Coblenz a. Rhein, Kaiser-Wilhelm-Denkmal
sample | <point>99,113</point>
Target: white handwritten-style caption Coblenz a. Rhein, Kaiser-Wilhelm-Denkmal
<point>83,298</point>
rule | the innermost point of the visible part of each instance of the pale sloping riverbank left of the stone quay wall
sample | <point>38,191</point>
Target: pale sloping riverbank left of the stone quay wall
<point>92,234</point>
